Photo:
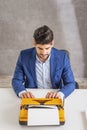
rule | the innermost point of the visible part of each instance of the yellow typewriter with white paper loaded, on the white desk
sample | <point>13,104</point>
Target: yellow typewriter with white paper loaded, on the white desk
<point>41,111</point>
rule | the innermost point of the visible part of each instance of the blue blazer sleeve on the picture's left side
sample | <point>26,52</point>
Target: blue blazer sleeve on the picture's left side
<point>18,77</point>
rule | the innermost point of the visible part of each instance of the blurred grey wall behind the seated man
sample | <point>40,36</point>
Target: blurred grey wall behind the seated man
<point>19,19</point>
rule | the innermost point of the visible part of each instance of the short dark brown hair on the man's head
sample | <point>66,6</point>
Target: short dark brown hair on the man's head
<point>43,35</point>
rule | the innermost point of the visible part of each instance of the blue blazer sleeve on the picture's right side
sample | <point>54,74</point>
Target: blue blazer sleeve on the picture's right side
<point>67,77</point>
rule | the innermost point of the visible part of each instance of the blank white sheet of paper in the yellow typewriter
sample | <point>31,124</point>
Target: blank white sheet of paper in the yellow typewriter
<point>43,115</point>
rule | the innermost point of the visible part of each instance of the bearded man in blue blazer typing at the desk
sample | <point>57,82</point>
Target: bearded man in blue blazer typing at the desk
<point>43,66</point>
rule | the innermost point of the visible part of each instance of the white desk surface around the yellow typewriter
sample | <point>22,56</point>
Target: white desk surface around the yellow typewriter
<point>75,105</point>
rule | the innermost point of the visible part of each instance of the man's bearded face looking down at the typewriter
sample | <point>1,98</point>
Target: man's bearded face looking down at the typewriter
<point>43,51</point>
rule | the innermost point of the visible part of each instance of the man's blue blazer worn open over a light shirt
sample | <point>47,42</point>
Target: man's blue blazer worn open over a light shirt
<point>60,71</point>
